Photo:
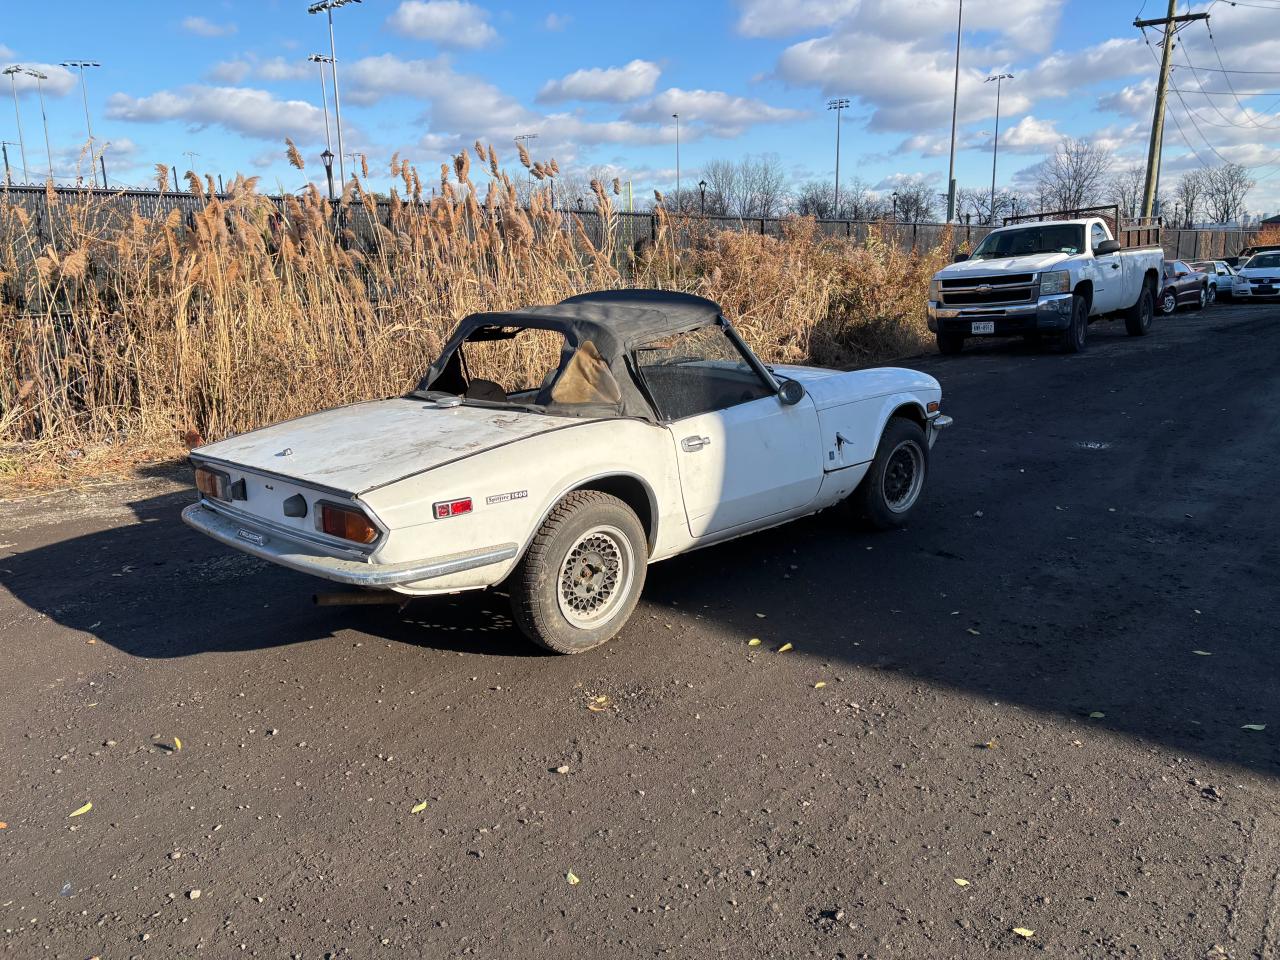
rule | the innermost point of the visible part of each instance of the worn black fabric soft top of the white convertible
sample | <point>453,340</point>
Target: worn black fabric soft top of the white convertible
<point>614,322</point>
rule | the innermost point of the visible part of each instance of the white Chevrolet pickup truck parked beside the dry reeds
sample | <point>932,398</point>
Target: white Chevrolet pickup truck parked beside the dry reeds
<point>1052,277</point>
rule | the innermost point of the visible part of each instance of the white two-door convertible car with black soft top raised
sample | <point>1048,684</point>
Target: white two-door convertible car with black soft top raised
<point>659,432</point>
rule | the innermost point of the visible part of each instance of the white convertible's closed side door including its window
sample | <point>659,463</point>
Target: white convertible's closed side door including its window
<point>743,455</point>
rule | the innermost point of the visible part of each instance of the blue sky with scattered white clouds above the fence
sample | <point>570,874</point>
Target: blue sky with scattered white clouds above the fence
<point>597,83</point>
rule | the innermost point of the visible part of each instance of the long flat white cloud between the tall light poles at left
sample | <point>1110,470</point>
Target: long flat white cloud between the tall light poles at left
<point>253,113</point>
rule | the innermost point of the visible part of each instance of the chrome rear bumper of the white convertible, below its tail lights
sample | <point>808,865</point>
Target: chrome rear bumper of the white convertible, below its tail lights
<point>289,554</point>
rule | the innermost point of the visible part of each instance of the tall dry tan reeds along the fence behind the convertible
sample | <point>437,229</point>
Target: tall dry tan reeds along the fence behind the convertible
<point>127,337</point>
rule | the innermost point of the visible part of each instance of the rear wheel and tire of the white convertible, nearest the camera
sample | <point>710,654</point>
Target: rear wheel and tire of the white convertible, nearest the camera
<point>569,614</point>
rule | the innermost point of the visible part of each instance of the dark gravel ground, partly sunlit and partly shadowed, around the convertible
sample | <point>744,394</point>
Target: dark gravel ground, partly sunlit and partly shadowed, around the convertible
<point>1027,712</point>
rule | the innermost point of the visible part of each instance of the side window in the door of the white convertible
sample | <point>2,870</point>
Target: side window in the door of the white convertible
<point>698,373</point>
